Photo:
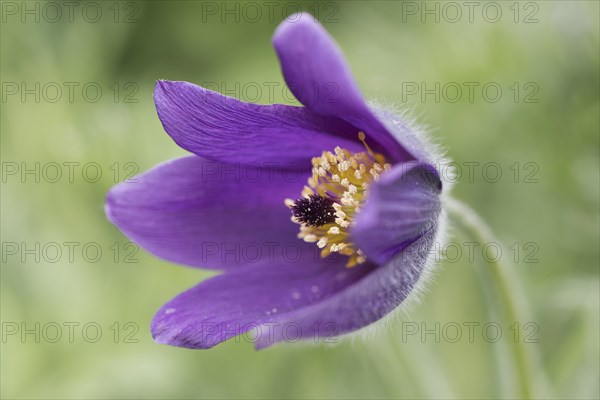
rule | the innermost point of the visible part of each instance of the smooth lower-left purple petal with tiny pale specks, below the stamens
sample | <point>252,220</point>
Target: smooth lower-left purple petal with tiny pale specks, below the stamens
<point>254,296</point>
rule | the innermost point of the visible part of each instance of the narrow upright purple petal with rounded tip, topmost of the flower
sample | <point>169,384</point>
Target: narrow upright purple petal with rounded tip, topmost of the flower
<point>316,72</point>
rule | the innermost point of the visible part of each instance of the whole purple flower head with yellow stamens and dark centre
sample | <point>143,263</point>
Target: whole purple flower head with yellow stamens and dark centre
<point>357,182</point>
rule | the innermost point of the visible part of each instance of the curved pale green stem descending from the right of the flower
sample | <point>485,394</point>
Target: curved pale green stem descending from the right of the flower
<point>509,291</point>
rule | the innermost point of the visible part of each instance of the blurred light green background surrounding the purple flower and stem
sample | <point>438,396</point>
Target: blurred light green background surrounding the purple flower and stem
<point>550,119</point>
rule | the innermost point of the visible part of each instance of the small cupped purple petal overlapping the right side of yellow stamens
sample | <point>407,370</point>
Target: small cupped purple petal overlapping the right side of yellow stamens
<point>400,208</point>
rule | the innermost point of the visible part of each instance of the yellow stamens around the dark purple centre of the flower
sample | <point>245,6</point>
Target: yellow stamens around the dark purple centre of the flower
<point>335,192</point>
